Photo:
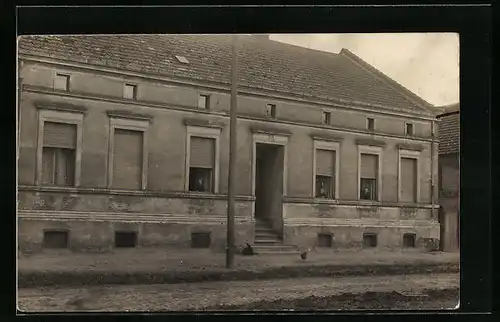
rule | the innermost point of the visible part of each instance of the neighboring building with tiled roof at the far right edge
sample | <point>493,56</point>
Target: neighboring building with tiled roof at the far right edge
<point>449,177</point>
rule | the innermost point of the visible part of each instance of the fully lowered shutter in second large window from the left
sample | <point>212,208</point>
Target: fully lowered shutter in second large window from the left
<point>127,159</point>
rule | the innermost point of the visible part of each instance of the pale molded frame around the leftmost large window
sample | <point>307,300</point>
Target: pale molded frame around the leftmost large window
<point>66,117</point>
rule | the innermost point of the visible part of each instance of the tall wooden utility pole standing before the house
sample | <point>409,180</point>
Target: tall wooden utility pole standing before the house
<point>232,156</point>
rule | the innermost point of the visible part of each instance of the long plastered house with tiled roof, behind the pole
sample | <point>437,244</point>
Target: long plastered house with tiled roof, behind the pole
<point>124,141</point>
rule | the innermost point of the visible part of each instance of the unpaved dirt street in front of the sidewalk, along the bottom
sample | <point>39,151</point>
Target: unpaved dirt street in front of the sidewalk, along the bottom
<point>297,294</point>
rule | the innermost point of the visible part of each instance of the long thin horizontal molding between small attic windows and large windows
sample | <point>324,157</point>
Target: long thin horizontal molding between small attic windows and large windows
<point>191,109</point>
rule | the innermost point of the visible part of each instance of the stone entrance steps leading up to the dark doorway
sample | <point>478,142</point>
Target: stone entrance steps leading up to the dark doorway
<point>267,240</point>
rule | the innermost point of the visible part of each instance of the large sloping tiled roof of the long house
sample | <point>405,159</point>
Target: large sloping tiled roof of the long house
<point>263,64</point>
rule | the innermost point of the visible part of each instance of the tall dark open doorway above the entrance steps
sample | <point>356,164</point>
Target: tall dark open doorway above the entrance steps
<point>269,164</point>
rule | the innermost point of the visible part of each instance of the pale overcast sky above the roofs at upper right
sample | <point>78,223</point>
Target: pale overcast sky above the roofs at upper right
<point>425,63</point>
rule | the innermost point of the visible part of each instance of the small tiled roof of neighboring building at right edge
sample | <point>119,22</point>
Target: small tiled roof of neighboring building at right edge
<point>449,129</point>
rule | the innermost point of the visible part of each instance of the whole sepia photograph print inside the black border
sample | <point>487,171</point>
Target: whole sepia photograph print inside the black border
<point>238,172</point>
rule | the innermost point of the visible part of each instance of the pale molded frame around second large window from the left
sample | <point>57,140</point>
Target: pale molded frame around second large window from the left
<point>128,123</point>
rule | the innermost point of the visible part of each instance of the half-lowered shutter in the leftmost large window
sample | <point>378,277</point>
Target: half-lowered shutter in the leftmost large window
<point>60,135</point>
